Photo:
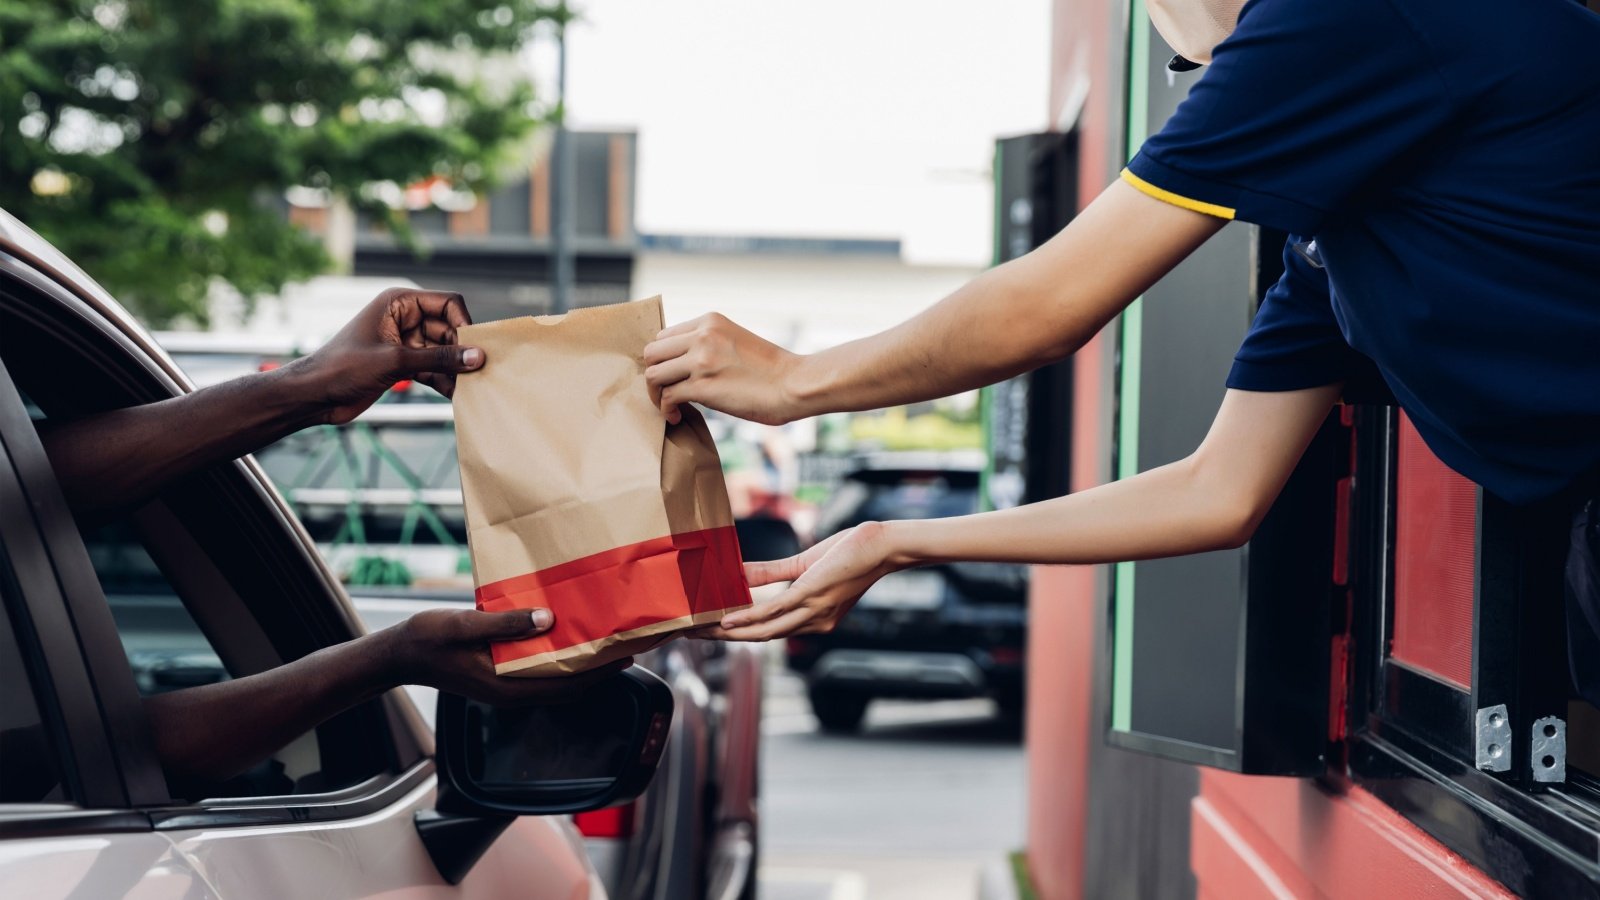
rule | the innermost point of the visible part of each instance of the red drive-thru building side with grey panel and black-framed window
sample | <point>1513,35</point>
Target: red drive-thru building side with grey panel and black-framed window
<point>1393,638</point>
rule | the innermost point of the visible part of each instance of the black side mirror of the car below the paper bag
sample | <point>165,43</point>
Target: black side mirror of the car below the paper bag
<point>593,752</point>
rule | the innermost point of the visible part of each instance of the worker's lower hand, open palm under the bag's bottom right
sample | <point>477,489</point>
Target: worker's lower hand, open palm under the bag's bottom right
<point>826,584</point>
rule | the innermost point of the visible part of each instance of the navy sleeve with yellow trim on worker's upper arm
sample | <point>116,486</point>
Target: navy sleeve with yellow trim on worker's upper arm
<point>1303,108</point>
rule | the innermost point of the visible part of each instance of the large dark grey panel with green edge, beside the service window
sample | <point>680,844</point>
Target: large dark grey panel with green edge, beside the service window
<point>1218,659</point>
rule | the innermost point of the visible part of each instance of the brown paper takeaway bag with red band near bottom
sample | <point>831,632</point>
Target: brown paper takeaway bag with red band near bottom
<point>582,499</point>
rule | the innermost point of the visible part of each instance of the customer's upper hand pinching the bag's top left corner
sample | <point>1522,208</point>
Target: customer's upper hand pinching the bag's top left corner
<point>404,334</point>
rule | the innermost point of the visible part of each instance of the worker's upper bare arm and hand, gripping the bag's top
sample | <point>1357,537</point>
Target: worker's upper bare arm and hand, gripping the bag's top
<point>1012,319</point>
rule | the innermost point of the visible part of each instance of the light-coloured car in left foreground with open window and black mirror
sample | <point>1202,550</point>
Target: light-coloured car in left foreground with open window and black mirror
<point>215,579</point>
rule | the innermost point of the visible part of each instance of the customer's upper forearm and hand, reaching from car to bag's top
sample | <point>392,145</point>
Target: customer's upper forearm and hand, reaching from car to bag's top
<point>116,460</point>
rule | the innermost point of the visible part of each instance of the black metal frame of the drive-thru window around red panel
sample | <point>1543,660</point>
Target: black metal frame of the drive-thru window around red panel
<point>1414,745</point>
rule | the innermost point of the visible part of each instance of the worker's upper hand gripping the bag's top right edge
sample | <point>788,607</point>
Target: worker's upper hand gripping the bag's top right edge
<point>711,361</point>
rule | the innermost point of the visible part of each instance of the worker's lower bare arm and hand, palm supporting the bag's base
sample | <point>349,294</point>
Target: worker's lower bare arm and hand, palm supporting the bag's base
<point>1212,500</point>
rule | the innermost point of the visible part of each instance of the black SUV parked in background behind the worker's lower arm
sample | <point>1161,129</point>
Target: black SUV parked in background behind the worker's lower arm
<point>942,632</point>
